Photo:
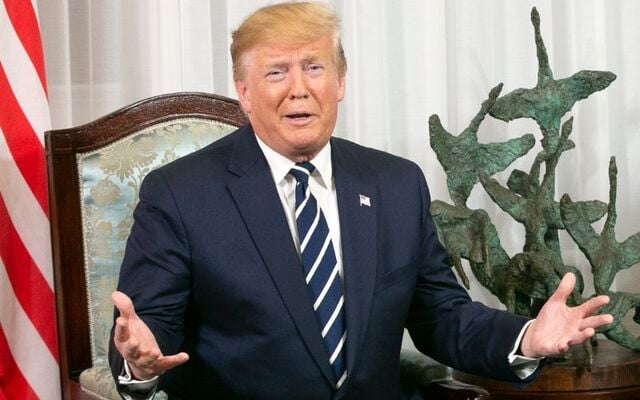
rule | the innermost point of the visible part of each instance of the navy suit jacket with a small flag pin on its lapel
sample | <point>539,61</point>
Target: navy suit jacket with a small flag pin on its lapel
<point>211,268</point>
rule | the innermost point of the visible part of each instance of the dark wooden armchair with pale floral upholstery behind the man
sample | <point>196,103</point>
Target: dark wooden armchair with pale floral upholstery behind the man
<point>95,171</point>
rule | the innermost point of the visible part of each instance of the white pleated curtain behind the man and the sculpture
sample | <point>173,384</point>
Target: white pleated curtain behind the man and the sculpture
<point>407,60</point>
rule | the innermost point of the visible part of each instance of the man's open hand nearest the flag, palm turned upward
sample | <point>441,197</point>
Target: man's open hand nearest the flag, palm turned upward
<point>137,345</point>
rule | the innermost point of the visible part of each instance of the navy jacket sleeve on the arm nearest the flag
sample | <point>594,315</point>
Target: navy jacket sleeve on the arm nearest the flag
<point>155,272</point>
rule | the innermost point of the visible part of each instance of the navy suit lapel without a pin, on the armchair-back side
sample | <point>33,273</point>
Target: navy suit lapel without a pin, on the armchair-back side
<point>257,199</point>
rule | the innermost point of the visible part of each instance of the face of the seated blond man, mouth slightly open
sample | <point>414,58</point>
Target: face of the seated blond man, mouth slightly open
<point>291,96</point>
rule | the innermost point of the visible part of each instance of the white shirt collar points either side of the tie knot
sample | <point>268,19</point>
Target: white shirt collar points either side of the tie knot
<point>281,165</point>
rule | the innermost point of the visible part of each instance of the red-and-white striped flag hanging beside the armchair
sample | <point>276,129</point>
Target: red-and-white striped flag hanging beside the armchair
<point>28,344</point>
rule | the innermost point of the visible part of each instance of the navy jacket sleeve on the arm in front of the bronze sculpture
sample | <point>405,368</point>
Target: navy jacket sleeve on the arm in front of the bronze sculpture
<point>445,324</point>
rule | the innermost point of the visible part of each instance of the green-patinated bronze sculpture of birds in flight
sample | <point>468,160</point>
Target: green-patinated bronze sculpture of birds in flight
<point>525,280</point>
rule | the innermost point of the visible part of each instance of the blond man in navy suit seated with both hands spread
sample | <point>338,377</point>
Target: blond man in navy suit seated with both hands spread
<point>215,263</point>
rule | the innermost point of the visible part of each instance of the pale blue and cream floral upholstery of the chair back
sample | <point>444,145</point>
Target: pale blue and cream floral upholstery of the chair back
<point>110,179</point>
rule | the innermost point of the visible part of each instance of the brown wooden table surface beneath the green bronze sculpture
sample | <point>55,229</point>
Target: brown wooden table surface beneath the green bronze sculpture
<point>615,376</point>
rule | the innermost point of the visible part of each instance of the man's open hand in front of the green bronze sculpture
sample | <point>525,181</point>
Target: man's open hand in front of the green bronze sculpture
<point>558,326</point>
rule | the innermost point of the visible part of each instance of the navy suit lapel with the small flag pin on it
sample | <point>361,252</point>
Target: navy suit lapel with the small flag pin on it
<point>358,230</point>
